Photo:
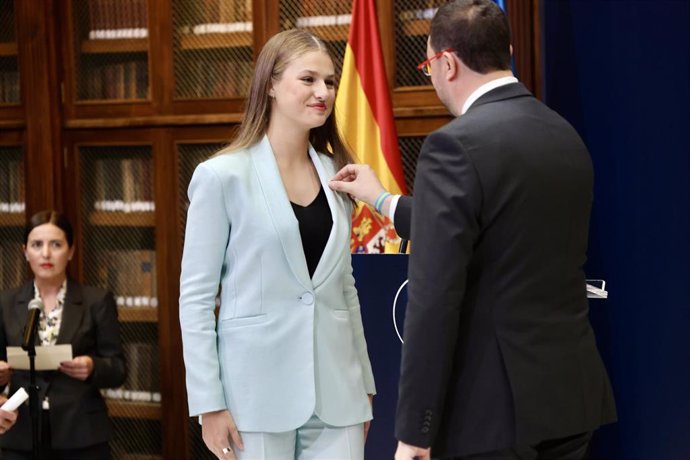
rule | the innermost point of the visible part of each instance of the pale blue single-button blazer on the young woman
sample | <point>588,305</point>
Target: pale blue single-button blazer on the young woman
<point>286,346</point>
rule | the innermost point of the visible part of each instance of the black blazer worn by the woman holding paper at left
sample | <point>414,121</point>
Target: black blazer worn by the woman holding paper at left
<point>78,414</point>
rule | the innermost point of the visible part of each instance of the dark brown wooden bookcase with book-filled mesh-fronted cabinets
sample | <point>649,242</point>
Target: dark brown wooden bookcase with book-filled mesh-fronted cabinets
<point>106,107</point>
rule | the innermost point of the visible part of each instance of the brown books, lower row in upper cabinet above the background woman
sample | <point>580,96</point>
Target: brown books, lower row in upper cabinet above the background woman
<point>120,80</point>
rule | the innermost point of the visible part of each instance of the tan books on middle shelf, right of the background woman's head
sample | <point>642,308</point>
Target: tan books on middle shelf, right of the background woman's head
<point>128,273</point>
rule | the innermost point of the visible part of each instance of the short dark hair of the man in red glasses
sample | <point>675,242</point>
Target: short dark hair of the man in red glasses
<point>477,30</point>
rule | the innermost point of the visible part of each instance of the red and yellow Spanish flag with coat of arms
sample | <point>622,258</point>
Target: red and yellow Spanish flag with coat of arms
<point>366,122</point>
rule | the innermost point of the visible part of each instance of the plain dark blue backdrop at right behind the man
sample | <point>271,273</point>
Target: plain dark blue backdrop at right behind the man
<point>620,72</point>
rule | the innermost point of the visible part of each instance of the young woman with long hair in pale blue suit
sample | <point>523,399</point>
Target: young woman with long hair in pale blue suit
<point>283,373</point>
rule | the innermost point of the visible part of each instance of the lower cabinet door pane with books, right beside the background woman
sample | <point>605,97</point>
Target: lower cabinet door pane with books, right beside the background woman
<point>119,255</point>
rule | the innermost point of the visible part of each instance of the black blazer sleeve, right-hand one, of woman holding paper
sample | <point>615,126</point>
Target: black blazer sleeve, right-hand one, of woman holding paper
<point>108,358</point>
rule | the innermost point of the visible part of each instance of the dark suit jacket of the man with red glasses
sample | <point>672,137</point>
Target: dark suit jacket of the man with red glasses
<point>498,347</point>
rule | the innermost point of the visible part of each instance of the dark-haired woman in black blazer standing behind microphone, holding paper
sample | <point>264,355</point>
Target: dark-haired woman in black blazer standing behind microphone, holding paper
<point>74,418</point>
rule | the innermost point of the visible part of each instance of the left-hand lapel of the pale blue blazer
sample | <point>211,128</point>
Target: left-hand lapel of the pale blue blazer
<point>280,210</point>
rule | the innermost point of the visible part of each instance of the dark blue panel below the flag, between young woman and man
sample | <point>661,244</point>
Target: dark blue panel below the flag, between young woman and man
<point>378,279</point>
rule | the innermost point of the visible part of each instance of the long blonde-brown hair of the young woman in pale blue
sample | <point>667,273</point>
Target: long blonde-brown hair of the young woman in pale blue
<point>275,56</point>
